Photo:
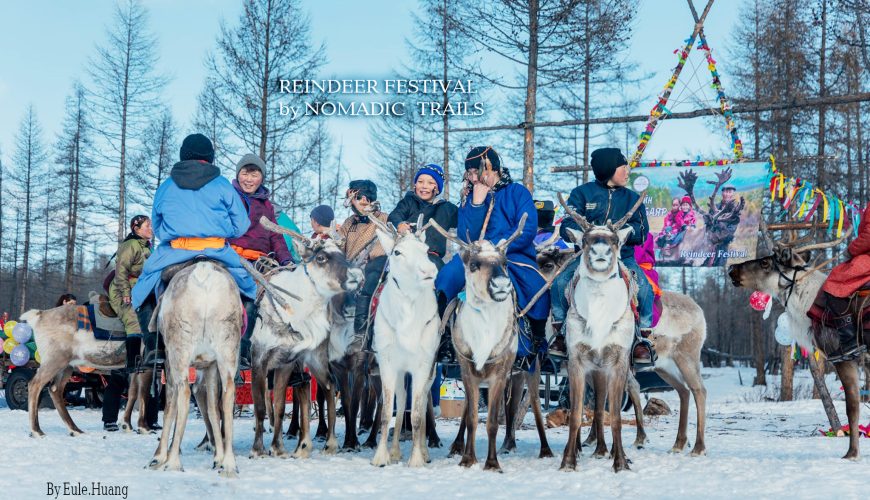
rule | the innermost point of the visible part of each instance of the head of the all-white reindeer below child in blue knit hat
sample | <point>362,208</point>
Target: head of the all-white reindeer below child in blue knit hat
<point>408,255</point>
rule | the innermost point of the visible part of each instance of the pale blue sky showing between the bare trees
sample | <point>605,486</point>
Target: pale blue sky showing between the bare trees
<point>47,44</point>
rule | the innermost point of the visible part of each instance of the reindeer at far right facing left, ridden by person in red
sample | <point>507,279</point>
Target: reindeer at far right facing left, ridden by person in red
<point>787,275</point>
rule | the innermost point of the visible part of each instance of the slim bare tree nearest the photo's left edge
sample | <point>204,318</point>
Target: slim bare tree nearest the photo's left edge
<point>30,156</point>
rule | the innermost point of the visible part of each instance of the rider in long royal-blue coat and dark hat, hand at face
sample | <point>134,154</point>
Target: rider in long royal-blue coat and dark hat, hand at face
<point>488,182</point>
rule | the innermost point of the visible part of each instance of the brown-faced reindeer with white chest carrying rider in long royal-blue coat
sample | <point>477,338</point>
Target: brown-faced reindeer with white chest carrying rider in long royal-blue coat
<point>484,336</point>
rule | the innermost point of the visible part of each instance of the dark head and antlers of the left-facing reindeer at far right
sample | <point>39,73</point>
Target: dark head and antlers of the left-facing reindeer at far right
<point>787,258</point>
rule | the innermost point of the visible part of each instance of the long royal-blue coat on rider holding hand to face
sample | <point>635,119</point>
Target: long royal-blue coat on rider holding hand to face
<point>511,202</point>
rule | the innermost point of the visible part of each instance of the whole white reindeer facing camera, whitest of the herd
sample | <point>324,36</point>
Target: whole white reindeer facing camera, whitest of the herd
<point>406,337</point>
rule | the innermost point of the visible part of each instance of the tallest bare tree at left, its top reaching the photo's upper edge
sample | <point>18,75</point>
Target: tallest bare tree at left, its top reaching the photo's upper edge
<point>125,90</point>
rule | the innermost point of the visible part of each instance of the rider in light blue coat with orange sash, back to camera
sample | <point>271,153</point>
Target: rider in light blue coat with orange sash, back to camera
<point>195,212</point>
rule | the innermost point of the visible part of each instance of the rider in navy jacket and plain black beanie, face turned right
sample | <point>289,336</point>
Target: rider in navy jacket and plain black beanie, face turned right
<point>607,198</point>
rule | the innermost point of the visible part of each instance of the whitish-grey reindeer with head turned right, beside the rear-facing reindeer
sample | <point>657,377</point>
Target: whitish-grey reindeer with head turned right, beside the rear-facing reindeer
<point>283,337</point>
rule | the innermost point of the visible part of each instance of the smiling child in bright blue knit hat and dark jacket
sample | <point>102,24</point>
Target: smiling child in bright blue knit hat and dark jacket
<point>424,199</point>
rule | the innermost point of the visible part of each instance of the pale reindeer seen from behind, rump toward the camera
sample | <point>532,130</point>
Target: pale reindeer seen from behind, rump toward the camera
<point>200,317</point>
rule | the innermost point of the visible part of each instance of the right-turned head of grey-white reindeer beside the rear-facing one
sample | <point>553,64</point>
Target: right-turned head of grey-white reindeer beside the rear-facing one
<point>323,261</point>
